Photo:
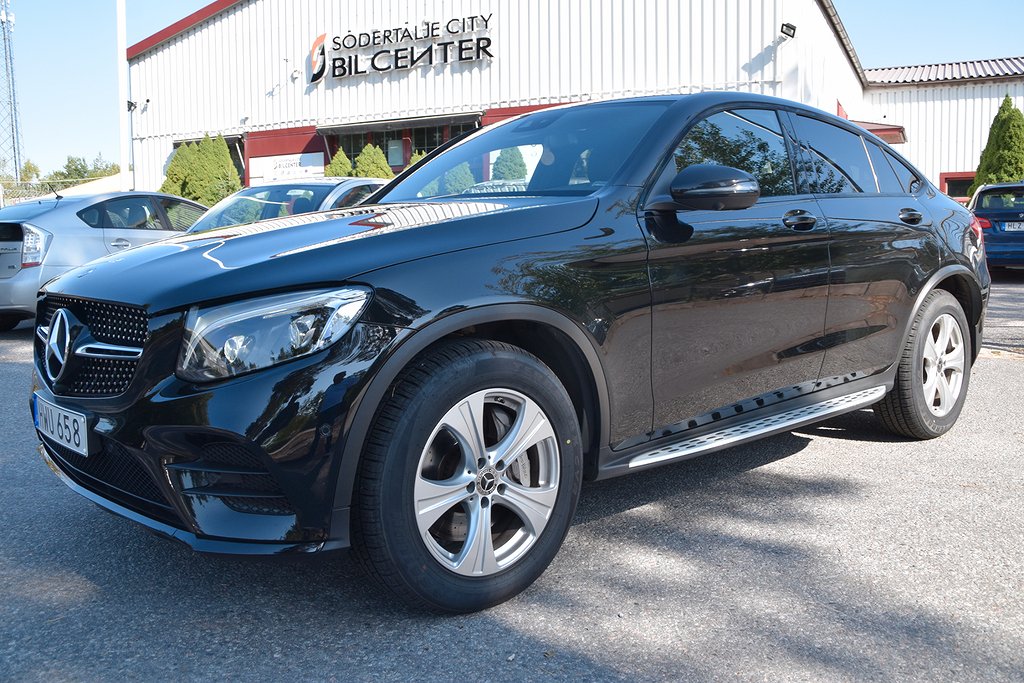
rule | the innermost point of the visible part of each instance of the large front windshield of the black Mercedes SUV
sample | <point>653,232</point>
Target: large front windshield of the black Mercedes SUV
<point>565,152</point>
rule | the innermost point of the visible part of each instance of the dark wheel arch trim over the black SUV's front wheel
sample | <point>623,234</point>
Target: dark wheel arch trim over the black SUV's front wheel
<point>557,340</point>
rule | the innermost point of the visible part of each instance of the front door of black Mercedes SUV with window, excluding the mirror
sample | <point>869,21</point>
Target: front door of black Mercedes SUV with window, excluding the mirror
<point>740,296</point>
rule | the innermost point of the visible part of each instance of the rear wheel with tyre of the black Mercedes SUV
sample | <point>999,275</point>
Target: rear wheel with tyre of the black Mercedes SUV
<point>934,372</point>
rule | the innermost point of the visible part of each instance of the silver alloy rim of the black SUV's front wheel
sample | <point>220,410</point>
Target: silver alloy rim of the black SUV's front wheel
<point>487,483</point>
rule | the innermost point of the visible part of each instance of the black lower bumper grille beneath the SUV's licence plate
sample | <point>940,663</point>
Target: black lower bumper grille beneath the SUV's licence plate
<point>115,474</point>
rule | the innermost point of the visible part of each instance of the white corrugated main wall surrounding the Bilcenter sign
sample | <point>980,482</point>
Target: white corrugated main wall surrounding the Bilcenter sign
<point>247,69</point>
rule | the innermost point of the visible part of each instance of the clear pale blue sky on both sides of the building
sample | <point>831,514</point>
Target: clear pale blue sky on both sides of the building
<point>67,78</point>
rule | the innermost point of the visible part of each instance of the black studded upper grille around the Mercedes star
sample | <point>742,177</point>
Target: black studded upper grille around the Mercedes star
<point>109,323</point>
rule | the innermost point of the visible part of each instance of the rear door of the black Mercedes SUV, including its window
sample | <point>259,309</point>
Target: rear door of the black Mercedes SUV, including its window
<point>881,245</point>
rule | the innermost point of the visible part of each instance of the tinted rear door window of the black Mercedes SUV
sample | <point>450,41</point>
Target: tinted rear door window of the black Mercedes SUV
<point>835,160</point>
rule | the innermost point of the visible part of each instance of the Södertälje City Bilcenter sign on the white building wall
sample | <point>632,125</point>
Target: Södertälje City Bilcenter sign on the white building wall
<point>403,49</point>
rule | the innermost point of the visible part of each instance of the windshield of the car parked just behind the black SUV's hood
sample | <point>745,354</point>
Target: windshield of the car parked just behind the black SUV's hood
<point>262,203</point>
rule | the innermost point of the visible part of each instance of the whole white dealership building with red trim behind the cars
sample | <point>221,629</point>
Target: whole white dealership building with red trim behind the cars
<point>291,82</point>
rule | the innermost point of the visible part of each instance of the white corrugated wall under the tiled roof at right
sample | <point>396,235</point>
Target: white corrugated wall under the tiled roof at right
<point>947,124</point>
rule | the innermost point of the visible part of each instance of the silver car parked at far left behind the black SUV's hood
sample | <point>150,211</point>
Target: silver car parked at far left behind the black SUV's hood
<point>44,239</point>
